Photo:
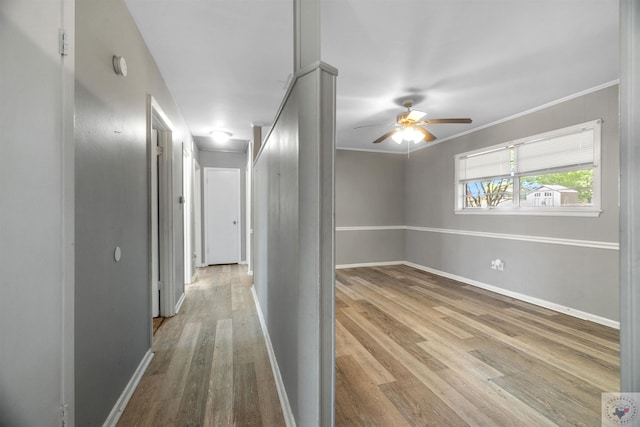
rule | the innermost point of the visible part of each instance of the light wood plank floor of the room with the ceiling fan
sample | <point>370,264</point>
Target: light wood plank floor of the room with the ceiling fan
<point>418,349</point>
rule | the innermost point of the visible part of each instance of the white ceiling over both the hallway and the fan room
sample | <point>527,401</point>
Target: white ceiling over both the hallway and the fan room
<point>228,63</point>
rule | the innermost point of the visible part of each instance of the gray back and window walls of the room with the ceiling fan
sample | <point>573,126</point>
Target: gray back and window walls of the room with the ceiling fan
<point>581,278</point>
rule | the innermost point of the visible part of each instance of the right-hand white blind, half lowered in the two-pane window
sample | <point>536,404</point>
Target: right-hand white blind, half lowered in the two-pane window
<point>573,149</point>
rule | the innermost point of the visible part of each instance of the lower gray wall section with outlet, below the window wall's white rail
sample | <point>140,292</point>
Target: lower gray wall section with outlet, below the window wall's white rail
<point>573,277</point>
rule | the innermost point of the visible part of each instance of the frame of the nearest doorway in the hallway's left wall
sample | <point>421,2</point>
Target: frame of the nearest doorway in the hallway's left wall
<point>157,119</point>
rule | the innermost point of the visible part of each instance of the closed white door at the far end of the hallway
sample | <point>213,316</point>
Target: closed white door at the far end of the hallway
<point>222,215</point>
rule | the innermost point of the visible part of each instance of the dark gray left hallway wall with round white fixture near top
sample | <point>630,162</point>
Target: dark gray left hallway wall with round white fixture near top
<point>113,299</point>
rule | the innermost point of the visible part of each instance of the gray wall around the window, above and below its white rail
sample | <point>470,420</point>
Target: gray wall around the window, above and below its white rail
<point>582,278</point>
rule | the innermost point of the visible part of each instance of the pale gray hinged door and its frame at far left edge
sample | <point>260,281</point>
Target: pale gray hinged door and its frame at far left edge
<point>36,214</point>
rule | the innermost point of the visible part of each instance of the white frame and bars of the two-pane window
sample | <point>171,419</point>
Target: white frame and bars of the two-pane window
<point>589,211</point>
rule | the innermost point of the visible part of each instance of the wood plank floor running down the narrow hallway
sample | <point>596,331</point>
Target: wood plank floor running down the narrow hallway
<point>211,365</point>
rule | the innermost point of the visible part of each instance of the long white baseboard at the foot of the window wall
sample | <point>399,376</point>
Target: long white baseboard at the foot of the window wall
<point>522,297</point>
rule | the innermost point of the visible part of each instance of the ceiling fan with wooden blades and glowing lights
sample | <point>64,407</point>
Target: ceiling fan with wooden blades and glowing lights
<point>409,126</point>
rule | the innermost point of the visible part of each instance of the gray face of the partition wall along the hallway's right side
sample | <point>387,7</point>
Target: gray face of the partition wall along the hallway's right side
<point>276,269</point>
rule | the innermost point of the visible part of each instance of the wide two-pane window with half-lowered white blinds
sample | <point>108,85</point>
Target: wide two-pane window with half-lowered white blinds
<point>553,173</point>
